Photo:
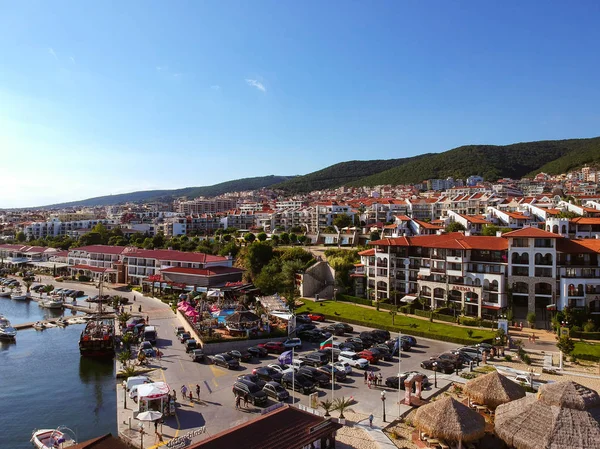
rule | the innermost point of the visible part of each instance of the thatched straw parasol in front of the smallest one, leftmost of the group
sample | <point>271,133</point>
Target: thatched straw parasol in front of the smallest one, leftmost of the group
<point>450,420</point>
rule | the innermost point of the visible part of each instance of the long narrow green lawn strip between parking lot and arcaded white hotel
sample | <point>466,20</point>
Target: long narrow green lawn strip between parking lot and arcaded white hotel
<point>354,314</point>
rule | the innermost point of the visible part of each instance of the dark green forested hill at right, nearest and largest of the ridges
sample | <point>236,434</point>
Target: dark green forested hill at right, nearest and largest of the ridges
<point>492,162</point>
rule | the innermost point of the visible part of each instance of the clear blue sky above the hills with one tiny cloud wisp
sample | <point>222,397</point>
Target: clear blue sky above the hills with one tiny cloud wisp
<point>101,97</point>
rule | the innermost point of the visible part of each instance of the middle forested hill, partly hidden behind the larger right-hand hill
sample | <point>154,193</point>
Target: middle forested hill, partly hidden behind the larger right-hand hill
<point>341,174</point>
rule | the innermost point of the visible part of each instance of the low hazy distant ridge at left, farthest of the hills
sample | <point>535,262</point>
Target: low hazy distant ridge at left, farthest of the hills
<point>168,195</point>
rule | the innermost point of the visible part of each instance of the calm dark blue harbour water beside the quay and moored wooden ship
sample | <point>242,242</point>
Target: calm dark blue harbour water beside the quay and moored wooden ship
<point>44,383</point>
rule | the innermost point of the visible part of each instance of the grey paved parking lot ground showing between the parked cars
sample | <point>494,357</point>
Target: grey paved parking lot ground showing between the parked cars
<point>216,408</point>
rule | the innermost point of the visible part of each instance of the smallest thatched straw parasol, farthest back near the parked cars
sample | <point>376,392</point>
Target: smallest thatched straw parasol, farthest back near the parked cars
<point>493,389</point>
